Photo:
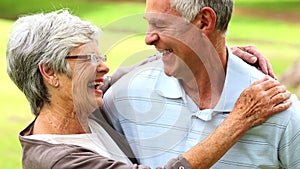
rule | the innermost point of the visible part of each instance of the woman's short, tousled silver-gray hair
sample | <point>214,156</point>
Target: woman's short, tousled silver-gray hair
<point>44,39</point>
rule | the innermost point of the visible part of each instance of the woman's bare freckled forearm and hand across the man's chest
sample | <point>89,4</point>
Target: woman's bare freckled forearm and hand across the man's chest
<point>255,105</point>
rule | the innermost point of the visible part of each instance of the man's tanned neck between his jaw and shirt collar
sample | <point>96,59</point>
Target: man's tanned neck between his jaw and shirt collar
<point>206,87</point>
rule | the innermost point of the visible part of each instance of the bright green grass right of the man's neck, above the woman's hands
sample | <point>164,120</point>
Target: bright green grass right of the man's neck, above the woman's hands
<point>275,39</point>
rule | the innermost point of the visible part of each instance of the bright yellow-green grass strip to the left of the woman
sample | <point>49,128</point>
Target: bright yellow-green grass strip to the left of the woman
<point>14,110</point>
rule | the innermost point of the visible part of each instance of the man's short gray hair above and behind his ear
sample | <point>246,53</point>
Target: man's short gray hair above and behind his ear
<point>190,8</point>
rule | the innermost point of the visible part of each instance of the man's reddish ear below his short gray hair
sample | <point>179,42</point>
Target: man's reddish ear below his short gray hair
<point>206,20</point>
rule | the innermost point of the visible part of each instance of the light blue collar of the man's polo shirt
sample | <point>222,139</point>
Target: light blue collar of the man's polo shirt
<point>238,77</point>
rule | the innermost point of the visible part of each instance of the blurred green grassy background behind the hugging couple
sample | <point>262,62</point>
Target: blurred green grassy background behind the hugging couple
<point>272,25</point>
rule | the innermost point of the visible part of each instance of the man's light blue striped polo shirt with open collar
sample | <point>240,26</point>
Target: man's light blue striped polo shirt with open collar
<point>161,122</point>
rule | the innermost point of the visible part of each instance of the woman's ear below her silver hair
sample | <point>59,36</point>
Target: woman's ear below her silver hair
<point>49,75</point>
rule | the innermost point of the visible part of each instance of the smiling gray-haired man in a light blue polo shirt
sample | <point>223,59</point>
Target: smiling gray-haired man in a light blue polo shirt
<point>163,116</point>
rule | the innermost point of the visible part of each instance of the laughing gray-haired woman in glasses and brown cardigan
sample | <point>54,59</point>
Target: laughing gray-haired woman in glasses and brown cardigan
<point>54,60</point>
